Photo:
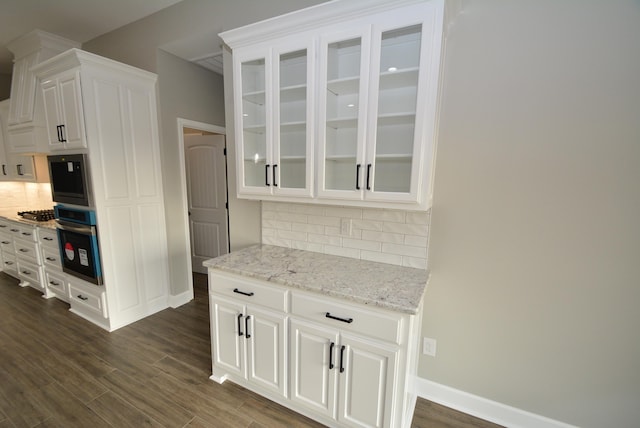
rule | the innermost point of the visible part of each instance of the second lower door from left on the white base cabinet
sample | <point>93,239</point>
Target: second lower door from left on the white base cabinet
<point>266,349</point>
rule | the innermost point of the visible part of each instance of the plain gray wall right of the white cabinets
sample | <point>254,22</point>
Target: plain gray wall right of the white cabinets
<point>535,237</point>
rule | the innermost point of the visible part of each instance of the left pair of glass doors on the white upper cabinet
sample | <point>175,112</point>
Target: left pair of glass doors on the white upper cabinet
<point>274,102</point>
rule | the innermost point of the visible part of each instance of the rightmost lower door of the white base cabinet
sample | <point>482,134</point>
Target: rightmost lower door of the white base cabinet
<point>366,385</point>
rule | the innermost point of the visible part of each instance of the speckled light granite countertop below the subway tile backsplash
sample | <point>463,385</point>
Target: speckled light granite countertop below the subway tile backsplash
<point>387,286</point>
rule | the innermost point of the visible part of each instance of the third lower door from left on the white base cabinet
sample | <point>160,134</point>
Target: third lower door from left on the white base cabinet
<point>313,379</point>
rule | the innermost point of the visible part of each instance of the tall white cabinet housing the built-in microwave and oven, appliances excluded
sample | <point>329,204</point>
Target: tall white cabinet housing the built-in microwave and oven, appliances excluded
<point>107,110</point>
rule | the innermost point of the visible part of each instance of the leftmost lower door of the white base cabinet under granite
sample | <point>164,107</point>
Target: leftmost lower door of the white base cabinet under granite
<point>227,335</point>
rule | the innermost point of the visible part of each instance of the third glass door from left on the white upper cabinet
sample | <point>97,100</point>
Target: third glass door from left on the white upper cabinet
<point>342,116</point>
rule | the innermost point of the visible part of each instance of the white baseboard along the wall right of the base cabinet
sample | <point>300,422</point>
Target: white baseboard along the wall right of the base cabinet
<point>483,408</point>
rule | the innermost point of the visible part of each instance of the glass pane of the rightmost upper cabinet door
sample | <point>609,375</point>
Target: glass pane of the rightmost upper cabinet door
<point>395,116</point>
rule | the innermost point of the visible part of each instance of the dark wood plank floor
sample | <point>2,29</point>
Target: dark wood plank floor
<point>58,370</point>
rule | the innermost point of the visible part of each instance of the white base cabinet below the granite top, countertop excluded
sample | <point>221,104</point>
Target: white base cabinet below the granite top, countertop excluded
<point>341,363</point>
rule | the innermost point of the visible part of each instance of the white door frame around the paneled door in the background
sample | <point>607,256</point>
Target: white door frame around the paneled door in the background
<point>201,126</point>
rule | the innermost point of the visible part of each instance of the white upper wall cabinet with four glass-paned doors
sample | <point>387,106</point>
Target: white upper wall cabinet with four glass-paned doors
<point>338,103</point>
